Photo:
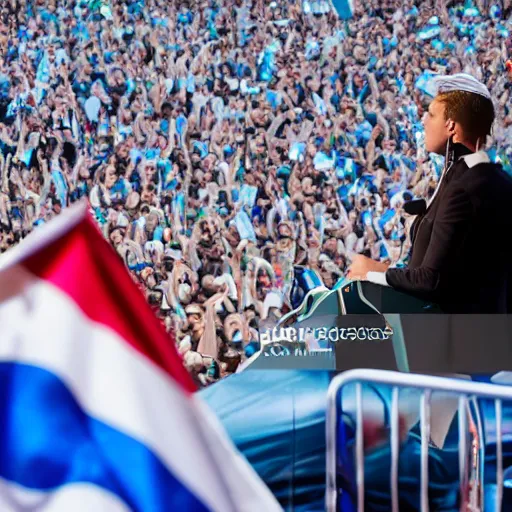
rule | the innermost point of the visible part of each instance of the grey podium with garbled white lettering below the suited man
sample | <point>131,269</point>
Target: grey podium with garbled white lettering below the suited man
<point>406,334</point>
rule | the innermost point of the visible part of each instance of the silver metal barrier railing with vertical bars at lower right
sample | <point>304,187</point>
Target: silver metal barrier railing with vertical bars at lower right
<point>468,392</point>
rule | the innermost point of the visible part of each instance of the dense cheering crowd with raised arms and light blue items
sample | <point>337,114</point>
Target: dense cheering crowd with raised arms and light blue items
<point>220,143</point>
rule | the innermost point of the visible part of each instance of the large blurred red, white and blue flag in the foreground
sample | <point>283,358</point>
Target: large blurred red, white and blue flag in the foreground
<point>97,412</point>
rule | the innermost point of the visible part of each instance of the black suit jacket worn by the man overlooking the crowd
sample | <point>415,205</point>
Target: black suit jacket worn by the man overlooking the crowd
<point>460,246</point>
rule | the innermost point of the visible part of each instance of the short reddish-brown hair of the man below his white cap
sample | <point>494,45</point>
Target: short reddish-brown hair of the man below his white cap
<point>474,112</point>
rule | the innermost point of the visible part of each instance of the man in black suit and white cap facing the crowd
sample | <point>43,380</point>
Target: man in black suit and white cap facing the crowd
<point>459,257</point>
